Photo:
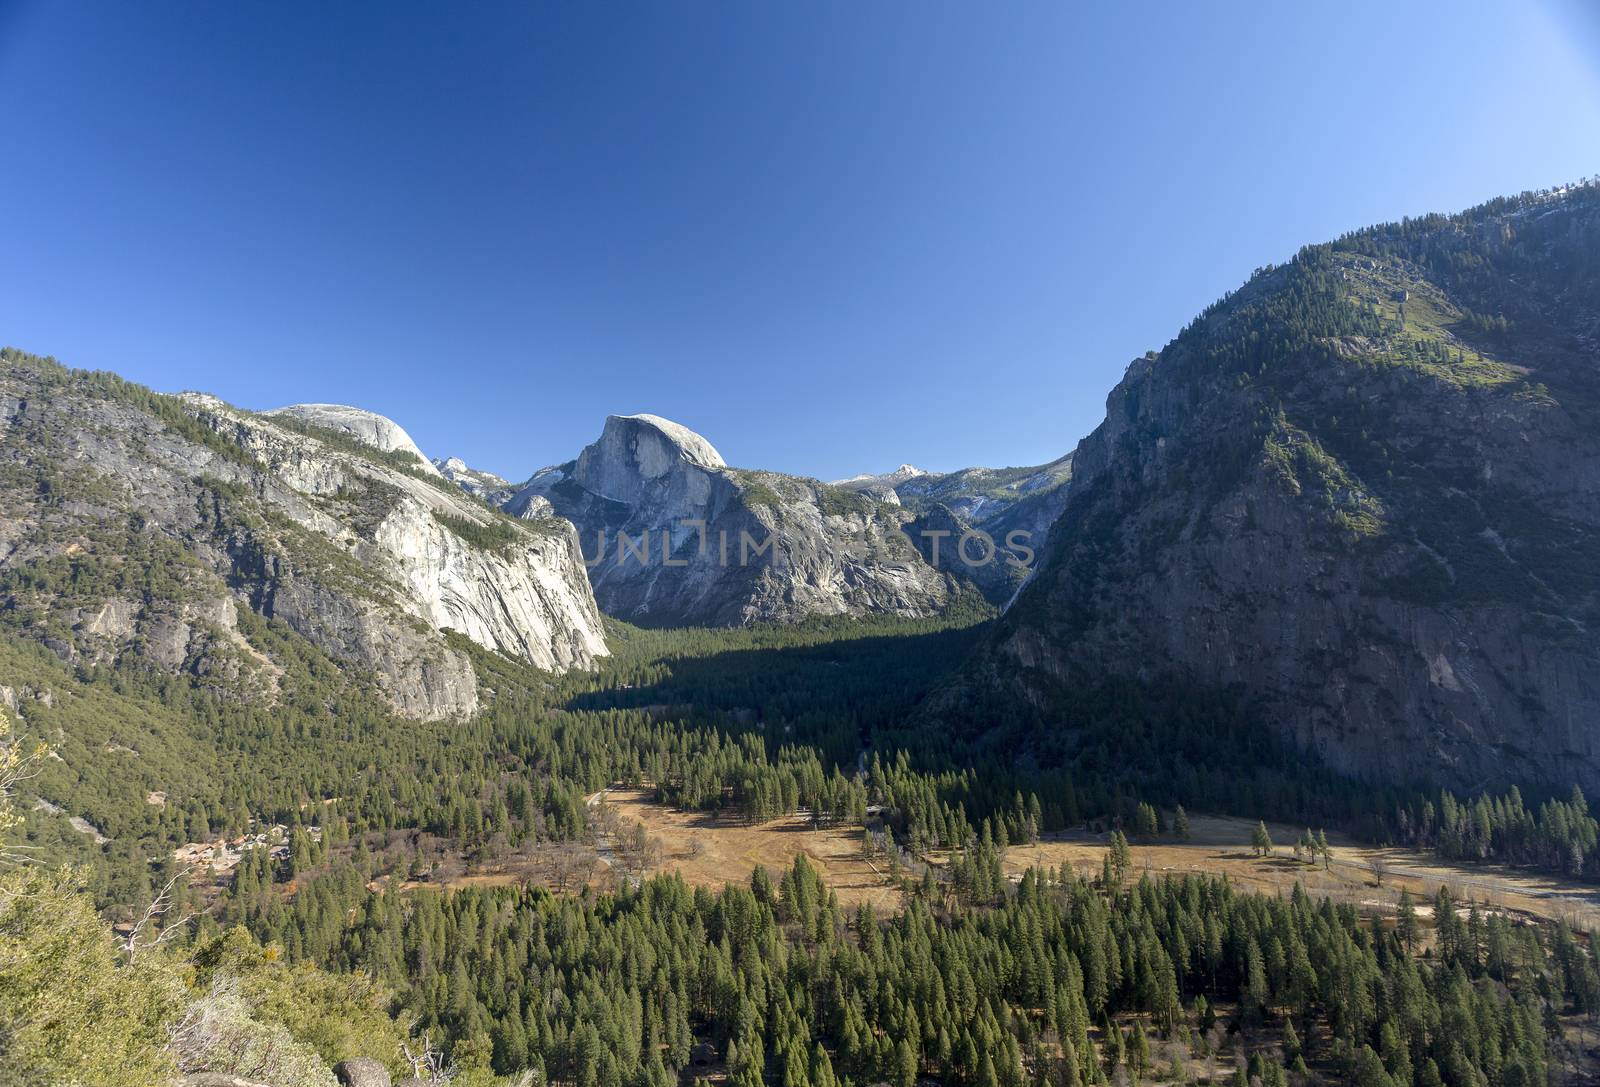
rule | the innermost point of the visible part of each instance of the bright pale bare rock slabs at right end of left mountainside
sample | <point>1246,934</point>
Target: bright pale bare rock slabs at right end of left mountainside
<point>430,553</point>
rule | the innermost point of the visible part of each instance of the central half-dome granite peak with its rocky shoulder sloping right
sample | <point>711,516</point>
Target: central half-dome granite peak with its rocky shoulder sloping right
<point>676,537</point>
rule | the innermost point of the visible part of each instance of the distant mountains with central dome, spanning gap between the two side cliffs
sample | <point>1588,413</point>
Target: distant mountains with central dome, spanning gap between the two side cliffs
<point>767,547</point>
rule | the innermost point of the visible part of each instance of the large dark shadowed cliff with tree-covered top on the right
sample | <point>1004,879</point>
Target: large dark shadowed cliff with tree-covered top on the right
<point>1366,492</point>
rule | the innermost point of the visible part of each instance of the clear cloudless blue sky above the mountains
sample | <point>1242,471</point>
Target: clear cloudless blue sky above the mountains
<point>830,236</point>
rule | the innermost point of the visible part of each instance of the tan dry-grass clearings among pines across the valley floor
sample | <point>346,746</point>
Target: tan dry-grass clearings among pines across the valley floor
<point>638,838</point>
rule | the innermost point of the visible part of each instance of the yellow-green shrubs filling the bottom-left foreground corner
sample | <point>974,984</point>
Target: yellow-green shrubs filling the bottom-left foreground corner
<point>78,1008</point>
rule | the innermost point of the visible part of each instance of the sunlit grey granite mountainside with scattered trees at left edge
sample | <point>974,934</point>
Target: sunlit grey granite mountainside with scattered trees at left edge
<point>137,524</point>
